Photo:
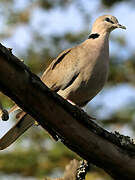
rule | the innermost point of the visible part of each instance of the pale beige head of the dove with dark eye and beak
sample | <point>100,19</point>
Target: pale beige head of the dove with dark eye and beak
<point>106,23</point>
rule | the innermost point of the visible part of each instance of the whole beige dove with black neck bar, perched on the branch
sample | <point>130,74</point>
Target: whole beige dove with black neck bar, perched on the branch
<point>77,74</point>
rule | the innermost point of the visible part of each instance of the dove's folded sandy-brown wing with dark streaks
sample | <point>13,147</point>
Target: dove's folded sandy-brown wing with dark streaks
<point>62,72</point>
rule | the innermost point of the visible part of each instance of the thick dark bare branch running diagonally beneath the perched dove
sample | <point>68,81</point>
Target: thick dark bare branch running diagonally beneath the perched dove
<point>112,152</point>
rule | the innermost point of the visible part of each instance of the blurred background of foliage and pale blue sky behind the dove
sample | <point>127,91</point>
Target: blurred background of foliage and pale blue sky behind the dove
<point>38,31</point>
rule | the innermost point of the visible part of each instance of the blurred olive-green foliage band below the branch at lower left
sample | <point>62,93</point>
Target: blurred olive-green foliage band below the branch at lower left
<point>31,162</point>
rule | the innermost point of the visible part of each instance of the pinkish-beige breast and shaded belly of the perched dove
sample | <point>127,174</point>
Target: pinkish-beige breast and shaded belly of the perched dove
<point>91,79</point>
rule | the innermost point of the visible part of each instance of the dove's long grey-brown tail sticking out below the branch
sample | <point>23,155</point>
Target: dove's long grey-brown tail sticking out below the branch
<point>24,123</point>
